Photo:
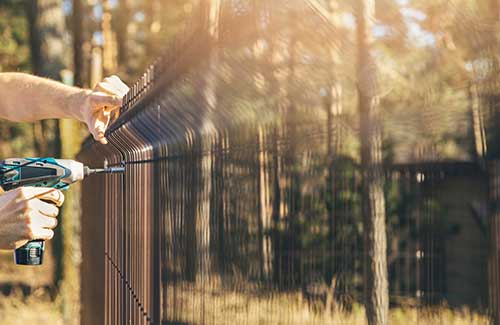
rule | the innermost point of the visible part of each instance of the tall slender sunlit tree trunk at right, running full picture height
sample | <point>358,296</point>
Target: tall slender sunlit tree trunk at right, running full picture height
<point>373,201</point>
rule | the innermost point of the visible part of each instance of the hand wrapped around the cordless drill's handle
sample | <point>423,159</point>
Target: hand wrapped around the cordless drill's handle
<point>24,215</point>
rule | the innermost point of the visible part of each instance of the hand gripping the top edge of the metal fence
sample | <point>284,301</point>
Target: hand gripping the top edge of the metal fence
<point>99,103</point>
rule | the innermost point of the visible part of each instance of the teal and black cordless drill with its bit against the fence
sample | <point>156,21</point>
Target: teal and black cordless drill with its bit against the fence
<point>42,172</point>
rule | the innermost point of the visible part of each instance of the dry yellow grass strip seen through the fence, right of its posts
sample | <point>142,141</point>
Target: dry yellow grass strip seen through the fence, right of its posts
<point>193,306</point>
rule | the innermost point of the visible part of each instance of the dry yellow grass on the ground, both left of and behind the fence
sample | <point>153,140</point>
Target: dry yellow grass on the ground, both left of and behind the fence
<point>195,306</point>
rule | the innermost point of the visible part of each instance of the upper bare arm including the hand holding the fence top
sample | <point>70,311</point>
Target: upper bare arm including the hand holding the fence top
<point>26,98</point>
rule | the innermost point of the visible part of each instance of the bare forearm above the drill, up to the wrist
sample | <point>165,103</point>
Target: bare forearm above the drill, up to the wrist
<point>26,98</point>
